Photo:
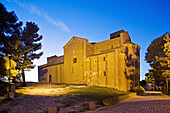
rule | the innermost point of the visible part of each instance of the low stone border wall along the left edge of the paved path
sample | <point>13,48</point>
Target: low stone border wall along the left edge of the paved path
<point>112,101</point>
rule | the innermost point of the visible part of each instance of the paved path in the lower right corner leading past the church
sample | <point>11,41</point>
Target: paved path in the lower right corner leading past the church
<point>150,102</point>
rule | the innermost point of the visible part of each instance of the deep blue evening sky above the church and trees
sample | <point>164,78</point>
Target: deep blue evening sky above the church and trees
<point>94,20</point>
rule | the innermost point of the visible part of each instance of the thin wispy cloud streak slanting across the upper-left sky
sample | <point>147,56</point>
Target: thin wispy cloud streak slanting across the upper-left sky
<point>40,12</point>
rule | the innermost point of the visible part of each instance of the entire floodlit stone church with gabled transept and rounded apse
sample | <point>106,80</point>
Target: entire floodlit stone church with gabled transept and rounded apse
<point>112,63</point>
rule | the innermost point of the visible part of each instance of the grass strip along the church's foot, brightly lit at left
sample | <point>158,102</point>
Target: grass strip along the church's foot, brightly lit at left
<point>83,91</point>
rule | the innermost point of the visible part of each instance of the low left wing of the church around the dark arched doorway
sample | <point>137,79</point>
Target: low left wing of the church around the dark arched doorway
<point>55,69</point>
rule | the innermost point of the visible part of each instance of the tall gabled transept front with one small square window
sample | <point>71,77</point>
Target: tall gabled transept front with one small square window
<point>74,51</point>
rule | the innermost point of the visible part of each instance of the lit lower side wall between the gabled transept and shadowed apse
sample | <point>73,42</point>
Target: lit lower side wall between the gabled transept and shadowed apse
<point>107,70</point>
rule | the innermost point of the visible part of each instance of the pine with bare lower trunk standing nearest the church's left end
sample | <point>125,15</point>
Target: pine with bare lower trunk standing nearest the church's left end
<point>26,43</point>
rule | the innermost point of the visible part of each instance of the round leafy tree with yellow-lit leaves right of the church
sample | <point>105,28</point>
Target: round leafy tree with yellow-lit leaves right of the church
<point>154,56</point>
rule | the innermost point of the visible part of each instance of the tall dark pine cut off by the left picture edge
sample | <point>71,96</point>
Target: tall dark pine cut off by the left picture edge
<point>8,24</point>
